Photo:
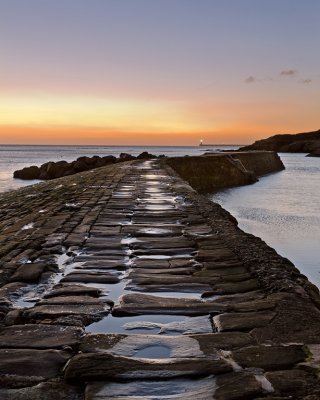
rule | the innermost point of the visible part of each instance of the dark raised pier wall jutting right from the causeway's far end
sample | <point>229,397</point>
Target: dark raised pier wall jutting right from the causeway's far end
<point>217,171</point>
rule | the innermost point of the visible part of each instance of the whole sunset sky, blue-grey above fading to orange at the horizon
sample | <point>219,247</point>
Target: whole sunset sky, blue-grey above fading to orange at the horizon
<point>157,72</point>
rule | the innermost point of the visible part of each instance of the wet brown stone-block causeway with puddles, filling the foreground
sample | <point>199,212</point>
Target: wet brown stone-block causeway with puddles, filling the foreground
<point>124,283</point>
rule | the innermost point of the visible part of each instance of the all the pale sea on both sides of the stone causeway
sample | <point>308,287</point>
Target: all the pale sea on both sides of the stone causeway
<point>283,208</point>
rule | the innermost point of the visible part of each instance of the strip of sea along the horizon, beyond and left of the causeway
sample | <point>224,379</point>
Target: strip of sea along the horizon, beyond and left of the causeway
<point>17,157</point>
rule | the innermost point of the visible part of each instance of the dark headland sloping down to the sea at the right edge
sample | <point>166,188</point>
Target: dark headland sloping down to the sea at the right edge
<point>308,142</point>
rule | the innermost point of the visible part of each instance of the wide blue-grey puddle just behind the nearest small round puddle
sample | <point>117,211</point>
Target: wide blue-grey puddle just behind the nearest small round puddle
<point>111,324</point>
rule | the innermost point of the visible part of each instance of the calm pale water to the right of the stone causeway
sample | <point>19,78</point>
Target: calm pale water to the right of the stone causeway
<point>284,210</point>
